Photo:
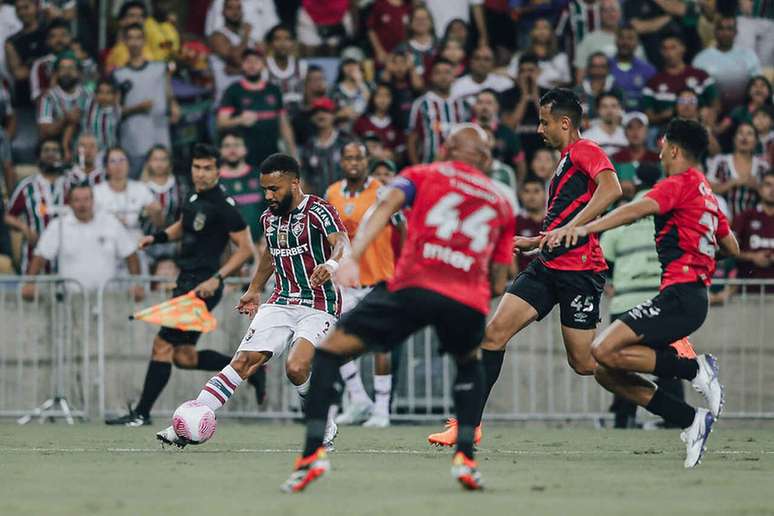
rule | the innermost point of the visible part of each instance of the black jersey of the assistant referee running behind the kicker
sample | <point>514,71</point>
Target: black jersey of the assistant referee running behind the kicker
<point>208,218</point>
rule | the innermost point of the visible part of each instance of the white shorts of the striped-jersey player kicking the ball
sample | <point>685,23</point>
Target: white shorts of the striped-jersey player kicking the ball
<point>276,327</point>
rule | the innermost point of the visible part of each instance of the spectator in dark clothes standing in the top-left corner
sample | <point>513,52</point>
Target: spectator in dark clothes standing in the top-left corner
<point>24,47</point>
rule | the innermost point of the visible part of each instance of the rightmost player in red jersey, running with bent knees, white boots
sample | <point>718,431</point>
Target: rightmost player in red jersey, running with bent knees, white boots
<point>689,227</point>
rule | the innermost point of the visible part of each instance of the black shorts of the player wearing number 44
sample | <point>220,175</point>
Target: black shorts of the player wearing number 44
<point>384,319</point>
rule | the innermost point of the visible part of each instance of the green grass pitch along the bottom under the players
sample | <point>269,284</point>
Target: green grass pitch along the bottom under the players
<point>53,469</point>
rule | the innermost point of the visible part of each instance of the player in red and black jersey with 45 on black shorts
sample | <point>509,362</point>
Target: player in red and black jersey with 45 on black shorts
<point>584,185</point>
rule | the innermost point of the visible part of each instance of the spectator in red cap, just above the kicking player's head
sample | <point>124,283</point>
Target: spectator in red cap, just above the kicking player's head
<point>321,155</point>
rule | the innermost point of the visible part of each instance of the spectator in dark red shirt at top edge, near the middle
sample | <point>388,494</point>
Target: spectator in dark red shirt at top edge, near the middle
<point>386,26</point>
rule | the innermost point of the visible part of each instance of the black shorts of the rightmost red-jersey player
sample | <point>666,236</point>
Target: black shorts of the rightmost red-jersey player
<point>676,312</point>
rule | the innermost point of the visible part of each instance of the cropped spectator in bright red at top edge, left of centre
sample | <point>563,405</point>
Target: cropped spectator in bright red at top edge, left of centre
<point>323,25</point>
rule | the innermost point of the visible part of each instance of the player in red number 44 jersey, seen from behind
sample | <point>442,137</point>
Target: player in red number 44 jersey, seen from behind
<point>458,251</point>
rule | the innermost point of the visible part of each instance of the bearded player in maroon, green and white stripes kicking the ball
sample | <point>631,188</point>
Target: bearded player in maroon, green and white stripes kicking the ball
<point>305,241</point>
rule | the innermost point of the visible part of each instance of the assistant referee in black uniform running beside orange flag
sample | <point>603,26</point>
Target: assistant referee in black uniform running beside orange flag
<point>209,220</point>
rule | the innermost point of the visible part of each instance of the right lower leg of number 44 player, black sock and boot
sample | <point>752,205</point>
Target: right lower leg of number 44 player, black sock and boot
<point>468,396</point>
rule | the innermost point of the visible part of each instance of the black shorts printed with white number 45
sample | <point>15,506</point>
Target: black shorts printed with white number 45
<point>576,292</point>
